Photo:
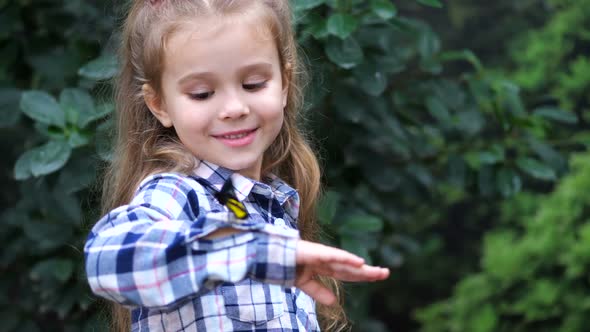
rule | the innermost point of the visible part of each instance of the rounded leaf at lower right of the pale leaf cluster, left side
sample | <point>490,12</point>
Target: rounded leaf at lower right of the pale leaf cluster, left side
<point>49,157</point>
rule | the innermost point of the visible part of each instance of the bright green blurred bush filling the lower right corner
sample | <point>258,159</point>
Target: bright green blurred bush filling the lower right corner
<point>533,274</point>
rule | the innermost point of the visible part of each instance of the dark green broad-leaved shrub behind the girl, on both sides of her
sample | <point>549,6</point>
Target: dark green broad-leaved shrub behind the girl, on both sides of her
<point>405,135</point>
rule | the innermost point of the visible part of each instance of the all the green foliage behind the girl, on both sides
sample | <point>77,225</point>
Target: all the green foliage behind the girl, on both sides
<point>424,143</point>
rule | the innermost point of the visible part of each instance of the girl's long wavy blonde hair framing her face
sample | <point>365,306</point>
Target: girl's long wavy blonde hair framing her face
<point>143,146</point>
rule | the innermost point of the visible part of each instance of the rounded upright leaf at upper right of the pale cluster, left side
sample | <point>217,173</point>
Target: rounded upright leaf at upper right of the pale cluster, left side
<point>77,105</point>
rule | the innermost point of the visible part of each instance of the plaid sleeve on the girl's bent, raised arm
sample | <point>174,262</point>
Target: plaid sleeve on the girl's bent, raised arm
<point>154,251</point>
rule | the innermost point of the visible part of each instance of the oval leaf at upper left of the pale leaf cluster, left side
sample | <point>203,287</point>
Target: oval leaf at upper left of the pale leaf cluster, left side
<point>42,107</point>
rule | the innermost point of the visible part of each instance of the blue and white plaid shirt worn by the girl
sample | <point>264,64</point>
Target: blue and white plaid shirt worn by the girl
<point>152,256</point>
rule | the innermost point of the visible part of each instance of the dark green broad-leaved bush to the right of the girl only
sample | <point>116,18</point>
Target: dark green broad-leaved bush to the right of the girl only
<point>407,135</point>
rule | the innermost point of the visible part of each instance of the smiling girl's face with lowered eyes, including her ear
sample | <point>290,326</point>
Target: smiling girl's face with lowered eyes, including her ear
<point>223,93</point>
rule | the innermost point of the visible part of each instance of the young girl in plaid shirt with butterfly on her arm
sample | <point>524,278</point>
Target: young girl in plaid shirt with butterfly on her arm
<point>213,184</point>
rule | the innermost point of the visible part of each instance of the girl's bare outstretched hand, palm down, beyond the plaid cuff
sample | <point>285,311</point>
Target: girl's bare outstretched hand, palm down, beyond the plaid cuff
<point>317,259</point>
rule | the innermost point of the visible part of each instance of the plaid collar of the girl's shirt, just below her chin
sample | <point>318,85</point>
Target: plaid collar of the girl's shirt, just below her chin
<point>243,186</point>
